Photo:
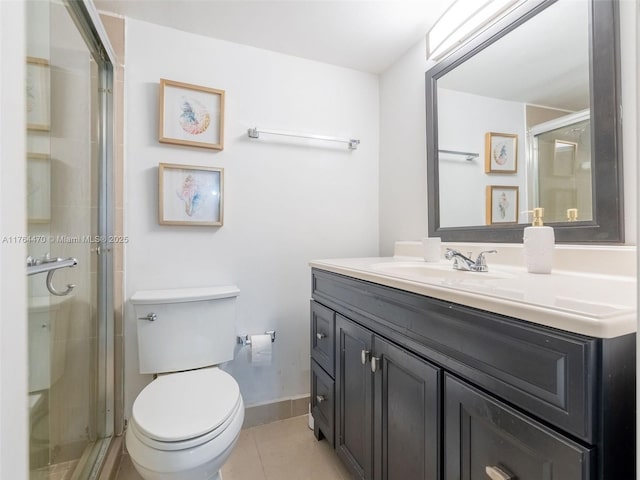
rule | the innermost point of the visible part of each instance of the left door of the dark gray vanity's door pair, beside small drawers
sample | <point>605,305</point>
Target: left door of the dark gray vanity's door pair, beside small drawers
<point>354,393</point>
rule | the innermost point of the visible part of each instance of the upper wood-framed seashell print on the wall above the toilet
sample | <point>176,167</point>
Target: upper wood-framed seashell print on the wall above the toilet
<point>191,115</point>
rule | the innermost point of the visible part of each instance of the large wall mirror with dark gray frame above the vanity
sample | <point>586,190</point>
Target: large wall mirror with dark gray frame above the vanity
<point>527,115</point>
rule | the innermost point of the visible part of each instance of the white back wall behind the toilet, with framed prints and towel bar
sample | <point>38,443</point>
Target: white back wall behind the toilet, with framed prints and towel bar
<point>287,201</point>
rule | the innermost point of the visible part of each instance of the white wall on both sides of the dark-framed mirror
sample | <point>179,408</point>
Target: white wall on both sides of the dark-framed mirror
<point>403,205</point>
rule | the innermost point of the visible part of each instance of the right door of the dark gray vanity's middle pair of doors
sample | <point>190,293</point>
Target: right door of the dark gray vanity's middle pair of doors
<point>406,412</point>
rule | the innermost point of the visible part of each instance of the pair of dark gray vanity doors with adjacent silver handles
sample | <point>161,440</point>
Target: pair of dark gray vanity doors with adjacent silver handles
<point>386,407</point>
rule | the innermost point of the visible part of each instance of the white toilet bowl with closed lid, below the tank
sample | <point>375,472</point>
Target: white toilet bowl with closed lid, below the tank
<point>185,425</point>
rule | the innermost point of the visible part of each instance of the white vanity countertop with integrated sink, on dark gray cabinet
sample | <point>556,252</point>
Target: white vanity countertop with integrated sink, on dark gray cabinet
<point>596,305</point>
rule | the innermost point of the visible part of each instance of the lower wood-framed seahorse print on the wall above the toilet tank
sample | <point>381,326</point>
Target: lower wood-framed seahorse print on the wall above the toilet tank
<point>190,195</point>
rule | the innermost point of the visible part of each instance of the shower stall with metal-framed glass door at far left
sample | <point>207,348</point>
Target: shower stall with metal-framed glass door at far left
<point>69,101</point>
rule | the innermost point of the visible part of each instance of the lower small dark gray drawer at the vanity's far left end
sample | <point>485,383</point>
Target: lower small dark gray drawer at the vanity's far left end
<point>322,402</point>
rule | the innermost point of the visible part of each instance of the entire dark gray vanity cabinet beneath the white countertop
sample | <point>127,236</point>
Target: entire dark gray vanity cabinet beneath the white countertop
<point>421,388</point>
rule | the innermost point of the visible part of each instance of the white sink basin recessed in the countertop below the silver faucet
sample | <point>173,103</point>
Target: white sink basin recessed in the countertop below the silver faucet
<point>437,272</point>
